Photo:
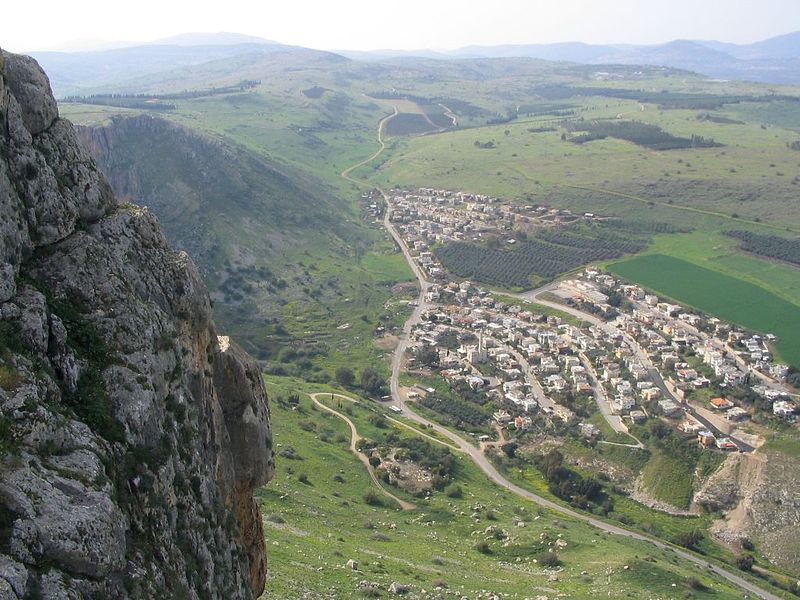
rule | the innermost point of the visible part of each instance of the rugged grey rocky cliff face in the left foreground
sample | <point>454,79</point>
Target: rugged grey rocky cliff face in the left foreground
<point>131,434</point>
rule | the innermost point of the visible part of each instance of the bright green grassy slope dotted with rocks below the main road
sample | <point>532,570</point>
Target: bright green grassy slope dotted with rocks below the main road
<point>317,519</point>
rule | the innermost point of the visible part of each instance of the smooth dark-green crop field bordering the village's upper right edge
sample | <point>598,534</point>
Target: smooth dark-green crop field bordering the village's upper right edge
<point>726,297</point>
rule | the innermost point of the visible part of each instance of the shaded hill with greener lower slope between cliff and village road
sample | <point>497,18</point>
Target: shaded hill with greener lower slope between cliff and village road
<point>288,263</point>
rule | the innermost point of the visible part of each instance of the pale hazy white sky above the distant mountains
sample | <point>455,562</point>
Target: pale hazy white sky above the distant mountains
<point>406,24</point>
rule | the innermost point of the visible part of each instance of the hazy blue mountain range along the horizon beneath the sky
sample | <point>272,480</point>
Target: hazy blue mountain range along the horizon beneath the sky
<point>776,60</point>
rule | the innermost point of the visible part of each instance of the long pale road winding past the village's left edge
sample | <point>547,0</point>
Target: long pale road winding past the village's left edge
<point>476,454</point>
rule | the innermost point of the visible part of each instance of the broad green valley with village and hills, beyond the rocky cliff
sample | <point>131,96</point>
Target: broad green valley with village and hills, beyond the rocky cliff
<point>364,242</point>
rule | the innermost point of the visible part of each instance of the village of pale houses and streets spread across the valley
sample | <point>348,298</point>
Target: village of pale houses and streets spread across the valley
<point>541,353</point>
